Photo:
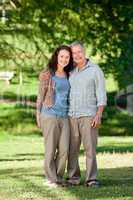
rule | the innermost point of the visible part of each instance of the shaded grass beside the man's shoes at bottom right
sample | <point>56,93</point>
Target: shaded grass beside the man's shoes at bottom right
<point>115,183</point>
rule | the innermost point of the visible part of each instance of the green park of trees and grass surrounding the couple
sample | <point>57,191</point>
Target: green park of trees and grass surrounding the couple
<point>29,32</point>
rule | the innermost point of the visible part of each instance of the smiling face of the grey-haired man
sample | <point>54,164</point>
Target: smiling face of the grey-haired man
<point>78,54</point>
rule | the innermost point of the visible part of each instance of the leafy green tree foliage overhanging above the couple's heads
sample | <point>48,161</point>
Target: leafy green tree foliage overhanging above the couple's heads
<point>105,25</point>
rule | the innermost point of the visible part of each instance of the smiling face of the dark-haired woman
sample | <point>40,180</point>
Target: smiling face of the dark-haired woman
<point>63,58</point>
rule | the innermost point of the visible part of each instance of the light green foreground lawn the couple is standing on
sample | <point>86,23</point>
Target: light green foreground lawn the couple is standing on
<point>21,171</point>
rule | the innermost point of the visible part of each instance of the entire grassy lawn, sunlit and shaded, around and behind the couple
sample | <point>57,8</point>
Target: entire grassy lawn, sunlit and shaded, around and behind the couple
<point>22,152</point>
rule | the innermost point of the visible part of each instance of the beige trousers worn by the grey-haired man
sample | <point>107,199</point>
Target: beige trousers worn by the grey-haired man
<point>81,130</point>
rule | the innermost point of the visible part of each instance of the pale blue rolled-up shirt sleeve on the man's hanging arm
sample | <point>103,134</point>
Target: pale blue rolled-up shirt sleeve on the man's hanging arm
<point>100,87</point>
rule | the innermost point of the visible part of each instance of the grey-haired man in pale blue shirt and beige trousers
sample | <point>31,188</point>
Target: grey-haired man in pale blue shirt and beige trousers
<point>87,101</point>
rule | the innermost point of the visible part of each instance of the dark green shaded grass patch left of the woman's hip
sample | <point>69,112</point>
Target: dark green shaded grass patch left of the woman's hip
<point>18,120</point>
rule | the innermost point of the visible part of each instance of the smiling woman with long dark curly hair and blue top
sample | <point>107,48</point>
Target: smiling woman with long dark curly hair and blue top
<point>52,110</point>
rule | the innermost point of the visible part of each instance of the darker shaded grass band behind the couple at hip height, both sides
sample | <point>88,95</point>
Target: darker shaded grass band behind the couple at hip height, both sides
<point>19,119</point>
